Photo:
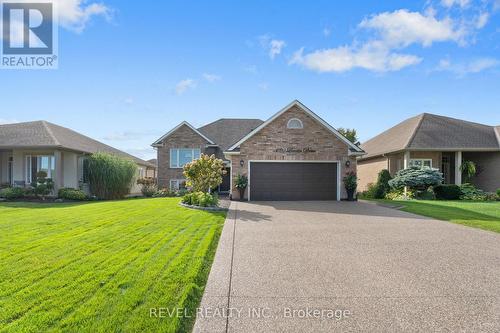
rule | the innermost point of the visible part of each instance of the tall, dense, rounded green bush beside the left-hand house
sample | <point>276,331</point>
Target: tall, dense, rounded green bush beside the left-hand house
<point>110,176</point>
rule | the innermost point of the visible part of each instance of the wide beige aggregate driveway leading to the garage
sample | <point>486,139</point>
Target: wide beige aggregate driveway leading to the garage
<point>340,266</point>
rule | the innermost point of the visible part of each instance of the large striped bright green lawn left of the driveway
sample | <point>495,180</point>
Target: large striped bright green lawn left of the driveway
<point>101,266</point>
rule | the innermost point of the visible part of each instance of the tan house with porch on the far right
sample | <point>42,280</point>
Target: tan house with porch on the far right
<point>440,142</point>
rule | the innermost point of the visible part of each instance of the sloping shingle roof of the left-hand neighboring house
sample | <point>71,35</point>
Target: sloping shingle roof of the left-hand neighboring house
<point>42,134</point>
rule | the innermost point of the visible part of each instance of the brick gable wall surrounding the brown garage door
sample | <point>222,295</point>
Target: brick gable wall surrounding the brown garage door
<point>262,146</point>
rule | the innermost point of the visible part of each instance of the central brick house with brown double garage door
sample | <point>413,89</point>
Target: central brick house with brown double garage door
<point>294,155</point>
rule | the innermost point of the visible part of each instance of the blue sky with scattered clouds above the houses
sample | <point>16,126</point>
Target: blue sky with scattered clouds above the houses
<point>130,71</point>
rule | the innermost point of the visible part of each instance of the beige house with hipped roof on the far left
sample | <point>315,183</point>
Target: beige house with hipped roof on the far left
<point>26,148</point>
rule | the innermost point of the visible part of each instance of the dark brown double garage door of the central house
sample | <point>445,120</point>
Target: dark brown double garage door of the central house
<point>293,181</point>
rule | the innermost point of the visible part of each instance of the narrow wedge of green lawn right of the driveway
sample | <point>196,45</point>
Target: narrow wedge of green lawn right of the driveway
<point>483,214</point>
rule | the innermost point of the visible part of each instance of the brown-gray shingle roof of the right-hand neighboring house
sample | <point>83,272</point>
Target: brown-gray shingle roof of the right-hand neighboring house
<point>434,132</point>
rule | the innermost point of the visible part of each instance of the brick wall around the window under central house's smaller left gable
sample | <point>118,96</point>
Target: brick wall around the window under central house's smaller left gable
<point>184,137</point>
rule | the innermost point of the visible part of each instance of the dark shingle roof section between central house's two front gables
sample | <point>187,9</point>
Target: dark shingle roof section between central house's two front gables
<point>225,132</point>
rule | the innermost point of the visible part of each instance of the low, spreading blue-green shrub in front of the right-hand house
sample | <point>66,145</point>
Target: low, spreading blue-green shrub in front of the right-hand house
<point>416,178</point>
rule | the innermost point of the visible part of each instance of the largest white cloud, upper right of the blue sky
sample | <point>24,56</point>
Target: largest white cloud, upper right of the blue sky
<point>381,52</point>
